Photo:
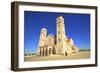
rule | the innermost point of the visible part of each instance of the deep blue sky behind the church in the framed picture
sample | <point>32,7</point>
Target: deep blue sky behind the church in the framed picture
<point>77,26</point>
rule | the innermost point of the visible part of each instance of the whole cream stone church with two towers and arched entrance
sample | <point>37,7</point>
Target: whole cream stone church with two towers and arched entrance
<point>58,44</point>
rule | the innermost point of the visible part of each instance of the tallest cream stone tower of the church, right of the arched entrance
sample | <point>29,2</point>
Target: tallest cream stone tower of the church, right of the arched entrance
<point>61,37</point>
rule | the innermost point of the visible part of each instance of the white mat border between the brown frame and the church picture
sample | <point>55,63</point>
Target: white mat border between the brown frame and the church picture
<point>34,64</point>
